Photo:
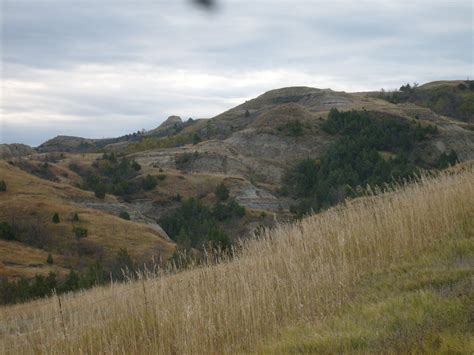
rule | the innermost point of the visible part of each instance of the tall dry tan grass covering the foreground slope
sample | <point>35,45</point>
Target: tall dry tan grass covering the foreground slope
<point>295,274</point>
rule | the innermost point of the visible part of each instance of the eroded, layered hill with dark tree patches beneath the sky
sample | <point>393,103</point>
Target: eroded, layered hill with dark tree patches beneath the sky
<point>280,155</point>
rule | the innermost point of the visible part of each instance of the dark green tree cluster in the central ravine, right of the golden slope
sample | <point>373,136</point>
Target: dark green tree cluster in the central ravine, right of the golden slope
<point>195,225</point>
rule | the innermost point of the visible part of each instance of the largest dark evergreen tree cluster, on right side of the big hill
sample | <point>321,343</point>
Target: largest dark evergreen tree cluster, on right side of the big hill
<point>355,159</point>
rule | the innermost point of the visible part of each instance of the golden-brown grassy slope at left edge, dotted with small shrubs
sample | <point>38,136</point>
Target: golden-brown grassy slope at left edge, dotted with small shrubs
<point>28,206</point>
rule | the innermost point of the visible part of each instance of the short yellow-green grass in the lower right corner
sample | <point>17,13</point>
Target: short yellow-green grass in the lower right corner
<point>422,306</point>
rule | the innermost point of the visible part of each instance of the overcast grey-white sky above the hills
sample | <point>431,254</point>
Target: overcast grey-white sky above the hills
<point>102,68</point>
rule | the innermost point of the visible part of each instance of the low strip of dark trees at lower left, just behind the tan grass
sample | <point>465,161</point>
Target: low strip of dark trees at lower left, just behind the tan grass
<point>22,290</point>
